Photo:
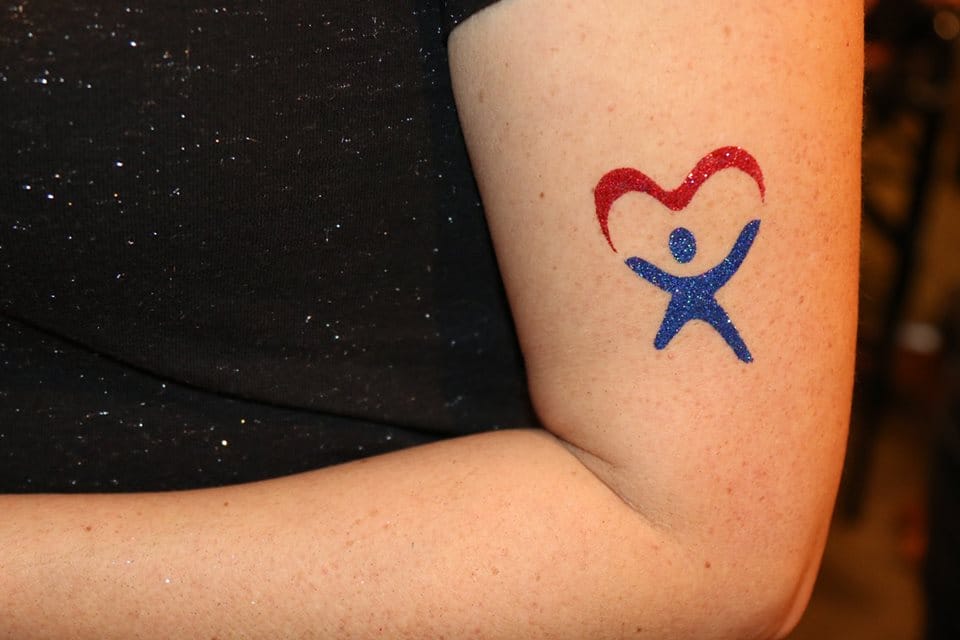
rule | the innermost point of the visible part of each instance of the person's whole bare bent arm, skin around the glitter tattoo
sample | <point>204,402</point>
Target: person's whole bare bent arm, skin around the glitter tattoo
<point>680,493</point>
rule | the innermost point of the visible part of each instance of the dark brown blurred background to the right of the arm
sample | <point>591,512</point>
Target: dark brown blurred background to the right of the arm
<point>891,570</point>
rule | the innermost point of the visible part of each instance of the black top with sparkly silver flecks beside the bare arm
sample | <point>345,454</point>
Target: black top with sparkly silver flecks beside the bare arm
<point>238,242</point>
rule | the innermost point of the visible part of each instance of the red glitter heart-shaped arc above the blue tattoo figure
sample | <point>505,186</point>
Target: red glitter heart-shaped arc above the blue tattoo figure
<point>618,182</point>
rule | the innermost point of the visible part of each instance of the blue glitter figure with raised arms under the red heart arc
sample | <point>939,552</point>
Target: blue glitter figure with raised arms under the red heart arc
<point>693,296</point>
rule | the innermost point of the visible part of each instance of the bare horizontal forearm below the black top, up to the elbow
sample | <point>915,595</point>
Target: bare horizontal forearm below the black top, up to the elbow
<point>501,535</point>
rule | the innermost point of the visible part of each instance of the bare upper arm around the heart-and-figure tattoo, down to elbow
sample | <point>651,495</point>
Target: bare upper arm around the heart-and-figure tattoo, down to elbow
<point>740,456</point>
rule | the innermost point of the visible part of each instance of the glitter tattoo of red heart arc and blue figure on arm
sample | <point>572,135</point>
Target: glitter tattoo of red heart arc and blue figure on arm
<point>692,297</point>
